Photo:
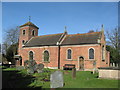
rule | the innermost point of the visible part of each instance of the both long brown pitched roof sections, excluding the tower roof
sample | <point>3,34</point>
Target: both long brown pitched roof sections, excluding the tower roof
<point>73,39</point>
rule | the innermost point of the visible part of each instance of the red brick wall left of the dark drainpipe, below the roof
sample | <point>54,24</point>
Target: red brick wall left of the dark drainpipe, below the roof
<point>38,55</point>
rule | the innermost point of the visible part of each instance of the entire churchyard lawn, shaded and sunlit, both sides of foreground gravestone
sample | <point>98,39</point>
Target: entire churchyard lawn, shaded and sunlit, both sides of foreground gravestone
<point>13,78</point>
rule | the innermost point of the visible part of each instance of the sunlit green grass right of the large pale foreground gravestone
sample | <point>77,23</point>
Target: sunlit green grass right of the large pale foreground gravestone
<point>84,79</point>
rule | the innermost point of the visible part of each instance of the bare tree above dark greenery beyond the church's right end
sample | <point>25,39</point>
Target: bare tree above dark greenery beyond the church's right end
<point>113,45</point>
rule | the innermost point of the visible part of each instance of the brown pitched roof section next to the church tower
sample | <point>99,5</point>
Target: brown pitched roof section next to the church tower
<point>45,40</point>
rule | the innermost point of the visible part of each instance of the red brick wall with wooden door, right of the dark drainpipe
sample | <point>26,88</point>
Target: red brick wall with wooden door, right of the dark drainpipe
<point>78,51</point>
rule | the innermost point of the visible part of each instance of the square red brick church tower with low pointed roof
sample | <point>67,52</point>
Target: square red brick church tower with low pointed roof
<point>27,31</point>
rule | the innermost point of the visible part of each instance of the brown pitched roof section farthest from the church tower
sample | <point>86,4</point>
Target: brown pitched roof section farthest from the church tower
<point>77,39</point>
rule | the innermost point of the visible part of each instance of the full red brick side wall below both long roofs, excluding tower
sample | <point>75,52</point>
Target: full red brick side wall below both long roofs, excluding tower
<point>76,52</point>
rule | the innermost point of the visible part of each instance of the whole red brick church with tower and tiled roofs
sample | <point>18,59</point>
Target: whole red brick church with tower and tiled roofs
<point>86,51</point>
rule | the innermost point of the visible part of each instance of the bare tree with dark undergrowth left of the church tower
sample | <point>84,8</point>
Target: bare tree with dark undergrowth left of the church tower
<point>10,44</point>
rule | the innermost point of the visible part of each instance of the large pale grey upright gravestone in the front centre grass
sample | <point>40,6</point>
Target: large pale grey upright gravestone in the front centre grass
<point>56,79</point>
